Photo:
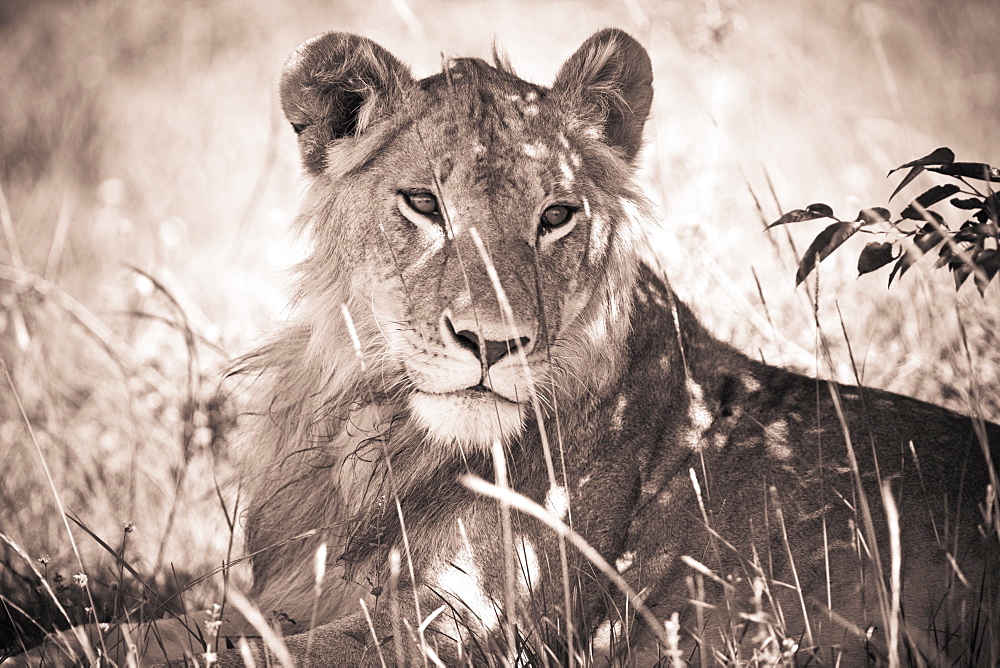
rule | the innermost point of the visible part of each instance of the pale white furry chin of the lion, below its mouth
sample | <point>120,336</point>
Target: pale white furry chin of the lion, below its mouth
<point>469,418</point>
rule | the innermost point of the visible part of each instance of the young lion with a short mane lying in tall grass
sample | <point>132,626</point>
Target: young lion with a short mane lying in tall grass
<point>480,302</point>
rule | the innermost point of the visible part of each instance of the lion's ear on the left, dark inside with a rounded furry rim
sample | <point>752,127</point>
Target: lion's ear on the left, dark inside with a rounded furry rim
<point>335,86</point>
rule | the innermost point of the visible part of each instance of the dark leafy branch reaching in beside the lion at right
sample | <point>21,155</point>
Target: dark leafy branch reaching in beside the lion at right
<point>971,250</point>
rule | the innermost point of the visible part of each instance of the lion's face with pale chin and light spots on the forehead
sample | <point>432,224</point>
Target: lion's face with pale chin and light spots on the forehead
<point>479,213</point>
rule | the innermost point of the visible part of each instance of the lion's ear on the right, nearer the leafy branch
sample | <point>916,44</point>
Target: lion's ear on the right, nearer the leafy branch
<point>610,75</point>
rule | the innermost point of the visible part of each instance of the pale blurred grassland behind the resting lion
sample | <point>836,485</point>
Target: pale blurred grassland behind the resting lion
<point>148,179</point>
